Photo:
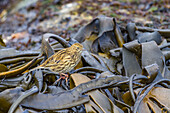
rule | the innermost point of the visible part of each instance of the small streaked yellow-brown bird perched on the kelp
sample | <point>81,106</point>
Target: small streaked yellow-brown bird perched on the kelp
<point>64,60</point>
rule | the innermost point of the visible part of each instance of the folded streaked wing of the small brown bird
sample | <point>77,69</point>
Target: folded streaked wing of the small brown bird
<point>55,59</point>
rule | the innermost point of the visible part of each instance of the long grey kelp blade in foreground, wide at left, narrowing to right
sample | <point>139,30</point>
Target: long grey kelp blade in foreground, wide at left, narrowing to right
<point>70,98</point>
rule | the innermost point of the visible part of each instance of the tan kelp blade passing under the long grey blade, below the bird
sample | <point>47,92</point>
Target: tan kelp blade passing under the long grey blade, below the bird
<point>98,101</point>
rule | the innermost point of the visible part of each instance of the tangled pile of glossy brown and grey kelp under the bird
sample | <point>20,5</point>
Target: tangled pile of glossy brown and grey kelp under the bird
<point>123,69</point>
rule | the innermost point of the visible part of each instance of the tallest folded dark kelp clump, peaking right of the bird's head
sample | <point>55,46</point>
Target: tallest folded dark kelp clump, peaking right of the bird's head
<point>104,39</point>
